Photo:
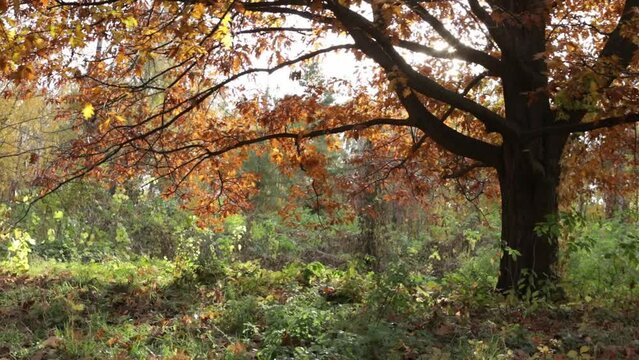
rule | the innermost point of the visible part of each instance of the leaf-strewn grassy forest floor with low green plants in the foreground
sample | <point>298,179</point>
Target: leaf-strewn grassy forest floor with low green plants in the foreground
<point>146,310</point>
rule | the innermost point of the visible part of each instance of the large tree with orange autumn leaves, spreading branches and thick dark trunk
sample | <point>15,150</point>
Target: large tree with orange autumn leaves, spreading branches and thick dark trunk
<point>500,84</point>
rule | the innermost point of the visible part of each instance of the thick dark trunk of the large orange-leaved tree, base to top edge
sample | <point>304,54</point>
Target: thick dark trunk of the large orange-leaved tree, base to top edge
<point>529,171</point>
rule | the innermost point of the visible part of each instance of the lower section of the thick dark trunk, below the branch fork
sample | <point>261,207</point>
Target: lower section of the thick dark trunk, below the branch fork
<point>529,195</point>
